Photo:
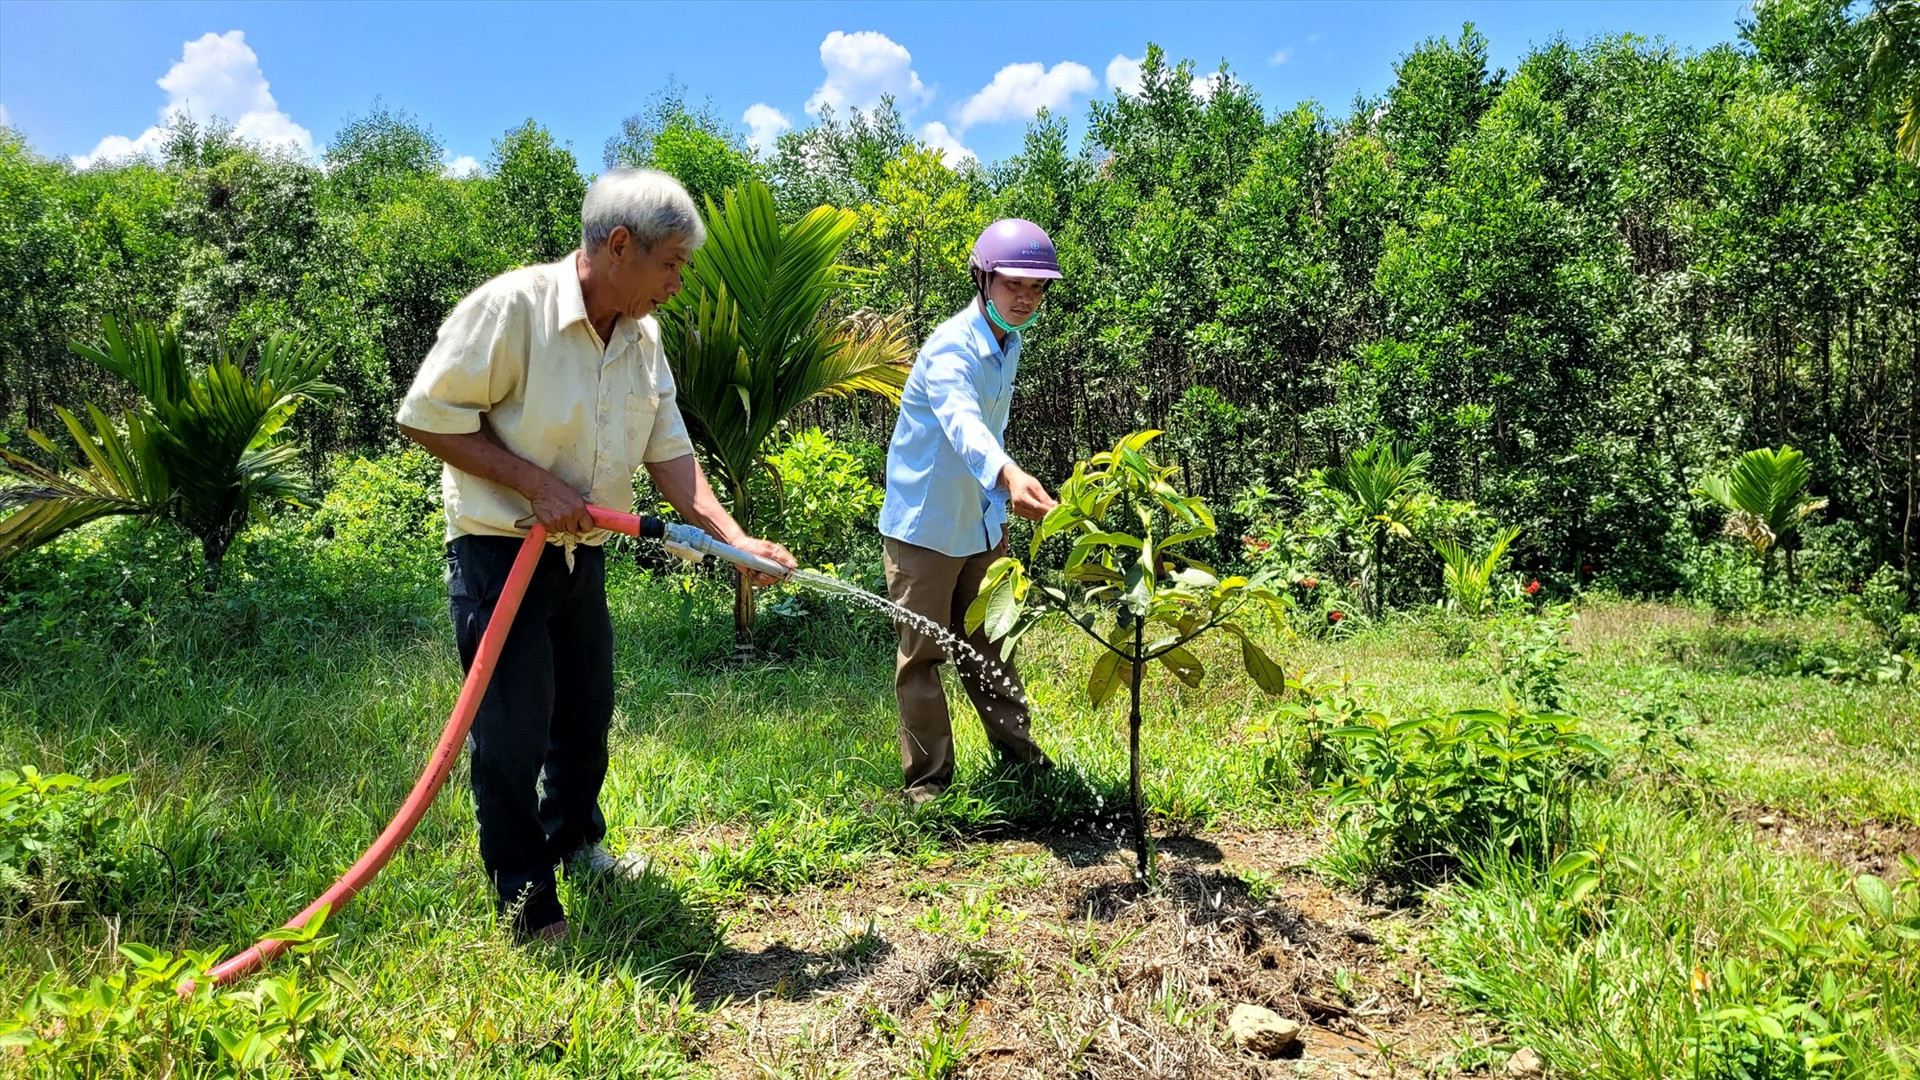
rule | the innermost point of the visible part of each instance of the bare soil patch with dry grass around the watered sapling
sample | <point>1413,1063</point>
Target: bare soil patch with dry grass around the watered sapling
<point>1042,958</point>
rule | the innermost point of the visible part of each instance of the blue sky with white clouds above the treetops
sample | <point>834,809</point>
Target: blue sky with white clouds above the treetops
<point>82,80</point>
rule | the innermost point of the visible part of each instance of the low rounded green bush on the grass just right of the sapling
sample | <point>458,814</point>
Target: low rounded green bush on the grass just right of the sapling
<point>1431,793</point>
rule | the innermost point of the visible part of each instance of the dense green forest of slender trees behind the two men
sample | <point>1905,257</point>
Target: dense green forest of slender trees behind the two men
<point>1579,289</point>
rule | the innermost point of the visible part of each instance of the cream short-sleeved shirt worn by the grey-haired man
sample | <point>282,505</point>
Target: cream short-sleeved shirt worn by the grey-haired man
<point>521,355</point>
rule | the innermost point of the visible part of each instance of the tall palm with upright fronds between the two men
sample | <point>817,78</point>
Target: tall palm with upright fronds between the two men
<point>752,339</point>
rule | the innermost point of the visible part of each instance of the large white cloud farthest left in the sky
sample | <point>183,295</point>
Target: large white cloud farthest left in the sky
<point>218,76</point>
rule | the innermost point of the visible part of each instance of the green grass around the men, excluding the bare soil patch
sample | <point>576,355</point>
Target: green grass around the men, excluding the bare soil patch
<point>272,733</point>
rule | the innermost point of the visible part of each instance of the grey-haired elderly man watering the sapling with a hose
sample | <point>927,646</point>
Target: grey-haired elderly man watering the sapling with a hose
<point>544,393</point>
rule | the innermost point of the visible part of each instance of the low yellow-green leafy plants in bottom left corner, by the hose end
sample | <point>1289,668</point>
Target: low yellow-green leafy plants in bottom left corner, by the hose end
<point>135,1023</point>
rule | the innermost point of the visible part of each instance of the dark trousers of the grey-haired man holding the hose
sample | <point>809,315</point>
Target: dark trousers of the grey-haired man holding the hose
<point>539,743</point>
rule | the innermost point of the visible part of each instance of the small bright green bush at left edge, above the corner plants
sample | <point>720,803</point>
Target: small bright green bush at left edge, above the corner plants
<point>57,837</point>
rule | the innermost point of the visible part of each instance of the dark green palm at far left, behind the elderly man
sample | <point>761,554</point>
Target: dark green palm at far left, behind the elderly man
<point>203,449</point>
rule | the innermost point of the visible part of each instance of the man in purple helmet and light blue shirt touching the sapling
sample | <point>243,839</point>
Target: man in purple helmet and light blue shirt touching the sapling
<point>949,491</point>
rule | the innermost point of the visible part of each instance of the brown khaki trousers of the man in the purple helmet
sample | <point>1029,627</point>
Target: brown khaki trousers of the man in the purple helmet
<point>940,589</point>
